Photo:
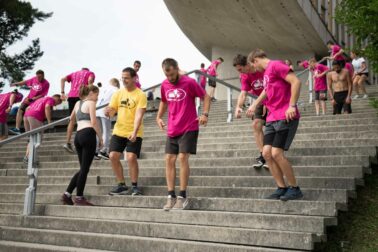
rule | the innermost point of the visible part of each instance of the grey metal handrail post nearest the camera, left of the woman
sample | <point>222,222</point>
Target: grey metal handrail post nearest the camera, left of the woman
<point>32,172</point>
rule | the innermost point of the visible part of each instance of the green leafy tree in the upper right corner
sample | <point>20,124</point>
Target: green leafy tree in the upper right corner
<point>361,18</point>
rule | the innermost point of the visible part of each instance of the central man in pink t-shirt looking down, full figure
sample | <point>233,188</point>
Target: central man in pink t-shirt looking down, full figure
<point>178,94</point>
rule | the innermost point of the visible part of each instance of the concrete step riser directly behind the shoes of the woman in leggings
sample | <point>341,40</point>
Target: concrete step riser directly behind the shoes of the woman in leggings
<point>322,194</point>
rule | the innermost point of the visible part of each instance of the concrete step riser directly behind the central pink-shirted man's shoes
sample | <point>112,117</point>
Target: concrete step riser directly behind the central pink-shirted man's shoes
<point>15,201</point>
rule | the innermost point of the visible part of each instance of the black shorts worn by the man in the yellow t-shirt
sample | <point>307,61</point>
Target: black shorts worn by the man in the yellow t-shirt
<point>118,144</point>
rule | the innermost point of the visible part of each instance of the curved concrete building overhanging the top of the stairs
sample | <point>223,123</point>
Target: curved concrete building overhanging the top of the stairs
<point>285,29</point>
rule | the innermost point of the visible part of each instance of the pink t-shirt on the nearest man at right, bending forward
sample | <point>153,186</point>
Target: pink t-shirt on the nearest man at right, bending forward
<point>278,90</point>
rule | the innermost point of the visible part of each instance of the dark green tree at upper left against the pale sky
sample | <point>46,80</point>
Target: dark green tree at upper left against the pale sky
<point>16,19</point>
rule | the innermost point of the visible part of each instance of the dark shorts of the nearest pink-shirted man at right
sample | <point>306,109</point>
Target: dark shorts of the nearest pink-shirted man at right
<point>280,134</point>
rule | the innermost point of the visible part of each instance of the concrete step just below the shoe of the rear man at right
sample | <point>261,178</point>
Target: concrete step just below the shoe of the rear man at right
<point>301,171</point>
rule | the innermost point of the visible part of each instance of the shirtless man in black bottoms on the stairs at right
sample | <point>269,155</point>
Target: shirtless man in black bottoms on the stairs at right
<point>340,88</point>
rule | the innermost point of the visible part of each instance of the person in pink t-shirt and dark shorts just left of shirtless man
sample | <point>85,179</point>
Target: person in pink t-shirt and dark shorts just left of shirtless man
<point>319,72</point>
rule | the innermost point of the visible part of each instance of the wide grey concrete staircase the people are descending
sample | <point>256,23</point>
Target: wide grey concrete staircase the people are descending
<point>330,154</point>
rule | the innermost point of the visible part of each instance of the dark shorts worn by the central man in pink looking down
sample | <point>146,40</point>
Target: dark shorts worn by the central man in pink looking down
<point>186,143</point>
